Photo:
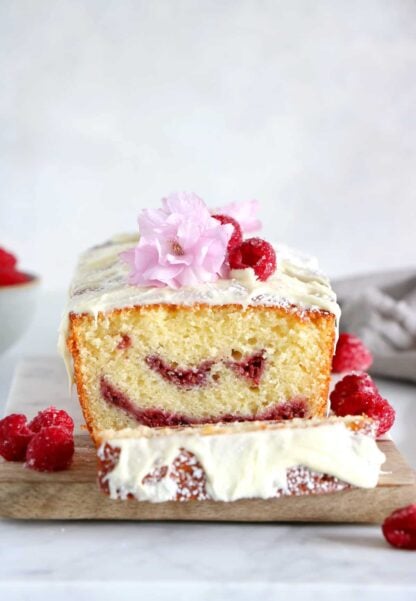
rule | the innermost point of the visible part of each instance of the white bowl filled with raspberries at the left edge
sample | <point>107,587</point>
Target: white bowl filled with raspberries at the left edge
<point>18,292</point>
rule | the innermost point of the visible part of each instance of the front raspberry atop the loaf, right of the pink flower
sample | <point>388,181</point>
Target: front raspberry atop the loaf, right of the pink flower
<point>255,253</point>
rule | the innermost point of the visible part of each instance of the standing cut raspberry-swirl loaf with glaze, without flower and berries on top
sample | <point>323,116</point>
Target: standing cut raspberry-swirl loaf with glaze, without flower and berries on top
<point>233,350</point>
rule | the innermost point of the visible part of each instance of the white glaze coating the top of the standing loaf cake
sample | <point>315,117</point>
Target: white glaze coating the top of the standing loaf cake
<point>100,284</point>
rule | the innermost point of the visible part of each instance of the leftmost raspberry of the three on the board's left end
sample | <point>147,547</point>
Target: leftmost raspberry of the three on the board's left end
<point>15,435</point>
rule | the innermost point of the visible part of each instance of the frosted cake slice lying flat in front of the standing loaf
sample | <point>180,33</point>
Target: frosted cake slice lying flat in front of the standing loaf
<point>227,462</point>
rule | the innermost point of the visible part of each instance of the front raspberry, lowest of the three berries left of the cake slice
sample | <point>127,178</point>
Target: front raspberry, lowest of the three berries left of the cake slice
<point>50,450</point>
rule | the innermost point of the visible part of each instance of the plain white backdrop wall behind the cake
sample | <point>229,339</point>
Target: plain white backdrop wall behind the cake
<point>106,105</point>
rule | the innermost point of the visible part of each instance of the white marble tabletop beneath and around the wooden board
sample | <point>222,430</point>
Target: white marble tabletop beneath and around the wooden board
<point>110,560</point>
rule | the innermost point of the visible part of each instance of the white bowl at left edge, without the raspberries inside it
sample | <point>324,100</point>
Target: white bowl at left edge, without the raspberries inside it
<point>17,308</point>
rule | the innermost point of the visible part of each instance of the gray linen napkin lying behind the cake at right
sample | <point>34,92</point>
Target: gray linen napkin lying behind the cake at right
<point>380,308</point>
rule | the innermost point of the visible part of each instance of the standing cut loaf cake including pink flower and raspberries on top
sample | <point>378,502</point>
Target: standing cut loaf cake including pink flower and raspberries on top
<point>188,325</point>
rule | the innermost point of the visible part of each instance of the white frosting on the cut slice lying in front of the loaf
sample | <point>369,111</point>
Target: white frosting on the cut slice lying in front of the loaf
<point>241,460</point>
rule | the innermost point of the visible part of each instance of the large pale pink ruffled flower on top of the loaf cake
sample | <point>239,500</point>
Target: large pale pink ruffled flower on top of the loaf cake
<point>180,244</point>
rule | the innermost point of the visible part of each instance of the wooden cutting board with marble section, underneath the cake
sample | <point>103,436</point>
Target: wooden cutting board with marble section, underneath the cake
<point>74,494</point>
